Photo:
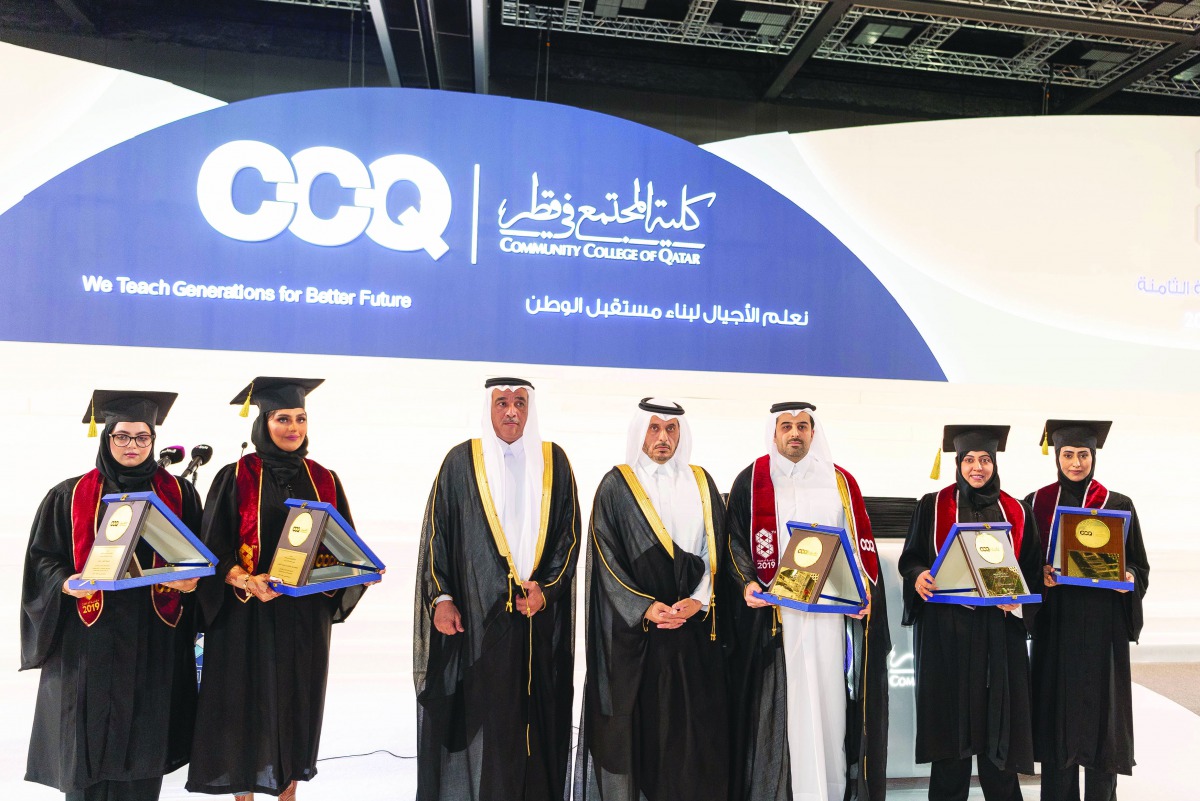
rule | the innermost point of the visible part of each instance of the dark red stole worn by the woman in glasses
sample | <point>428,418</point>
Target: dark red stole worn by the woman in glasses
<point>86,517</point>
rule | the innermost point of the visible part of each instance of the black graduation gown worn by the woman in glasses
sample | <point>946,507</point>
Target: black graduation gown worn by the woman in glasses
<point>117,700</point>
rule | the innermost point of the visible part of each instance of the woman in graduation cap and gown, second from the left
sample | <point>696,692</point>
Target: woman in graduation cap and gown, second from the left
<point>267,659</point>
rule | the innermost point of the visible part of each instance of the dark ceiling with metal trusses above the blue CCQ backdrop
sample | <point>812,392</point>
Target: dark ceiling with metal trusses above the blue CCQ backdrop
<point>917,58</point>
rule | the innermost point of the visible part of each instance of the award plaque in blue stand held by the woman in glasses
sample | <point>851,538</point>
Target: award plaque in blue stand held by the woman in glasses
<point>142,517</point>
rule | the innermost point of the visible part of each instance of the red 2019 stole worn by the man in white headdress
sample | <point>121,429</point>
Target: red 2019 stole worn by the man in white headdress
<point>765,528</point>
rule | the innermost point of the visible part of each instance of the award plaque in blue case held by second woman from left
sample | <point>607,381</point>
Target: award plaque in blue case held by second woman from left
<point>320,552</point>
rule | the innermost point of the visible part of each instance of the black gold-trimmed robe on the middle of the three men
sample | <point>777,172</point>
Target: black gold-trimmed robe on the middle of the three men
<point>655,716</point>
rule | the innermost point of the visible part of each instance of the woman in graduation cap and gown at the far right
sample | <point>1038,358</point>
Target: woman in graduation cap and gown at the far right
<point>1083,708</point>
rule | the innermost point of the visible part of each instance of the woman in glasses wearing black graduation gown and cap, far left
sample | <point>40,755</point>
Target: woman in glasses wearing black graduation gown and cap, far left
<point>117,696</point>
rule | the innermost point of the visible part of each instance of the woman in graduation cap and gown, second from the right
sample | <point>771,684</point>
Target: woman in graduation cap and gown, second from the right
<point>971,663</point>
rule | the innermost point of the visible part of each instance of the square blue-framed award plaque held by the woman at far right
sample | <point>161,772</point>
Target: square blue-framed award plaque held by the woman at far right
<point>1088,547</point>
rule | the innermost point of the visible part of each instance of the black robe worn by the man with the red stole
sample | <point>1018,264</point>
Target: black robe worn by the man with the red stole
<point>761,769</point>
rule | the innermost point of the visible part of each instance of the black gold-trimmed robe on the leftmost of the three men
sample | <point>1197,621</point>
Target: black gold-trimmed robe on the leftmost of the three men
<point>494,713</point>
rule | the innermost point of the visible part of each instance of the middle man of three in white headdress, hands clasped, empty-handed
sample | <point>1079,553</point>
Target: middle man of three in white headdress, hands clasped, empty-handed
<point>655,720</point>
